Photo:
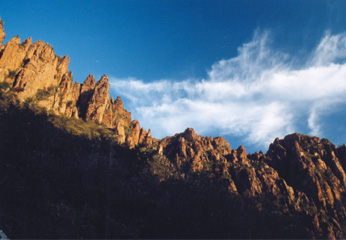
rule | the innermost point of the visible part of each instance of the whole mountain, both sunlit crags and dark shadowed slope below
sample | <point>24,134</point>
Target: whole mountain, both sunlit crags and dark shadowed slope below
<point>300,176</point>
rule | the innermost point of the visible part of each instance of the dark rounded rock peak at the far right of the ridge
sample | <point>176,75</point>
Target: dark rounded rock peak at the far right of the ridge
<point>310,165</point>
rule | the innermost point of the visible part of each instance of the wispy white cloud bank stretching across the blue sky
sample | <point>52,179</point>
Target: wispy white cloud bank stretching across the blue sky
<point>260,94</point>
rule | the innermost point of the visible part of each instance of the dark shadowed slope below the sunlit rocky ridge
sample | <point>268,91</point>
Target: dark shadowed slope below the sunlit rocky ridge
<point>60,183</point>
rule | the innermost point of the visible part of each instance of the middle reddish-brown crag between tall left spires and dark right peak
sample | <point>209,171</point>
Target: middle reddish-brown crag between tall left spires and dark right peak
<point>247,174</point>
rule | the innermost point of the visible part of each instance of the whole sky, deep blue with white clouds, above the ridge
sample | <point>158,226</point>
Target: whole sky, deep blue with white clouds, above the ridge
<point>247,70</point>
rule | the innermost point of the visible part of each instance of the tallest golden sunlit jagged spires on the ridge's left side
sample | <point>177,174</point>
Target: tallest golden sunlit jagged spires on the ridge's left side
<point>35,73</point>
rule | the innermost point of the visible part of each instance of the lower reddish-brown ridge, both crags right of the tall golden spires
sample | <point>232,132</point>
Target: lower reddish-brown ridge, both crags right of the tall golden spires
<point>301,173</point>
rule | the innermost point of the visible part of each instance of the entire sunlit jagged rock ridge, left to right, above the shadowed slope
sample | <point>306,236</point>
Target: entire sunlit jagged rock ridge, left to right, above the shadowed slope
<point>300,173</point>
